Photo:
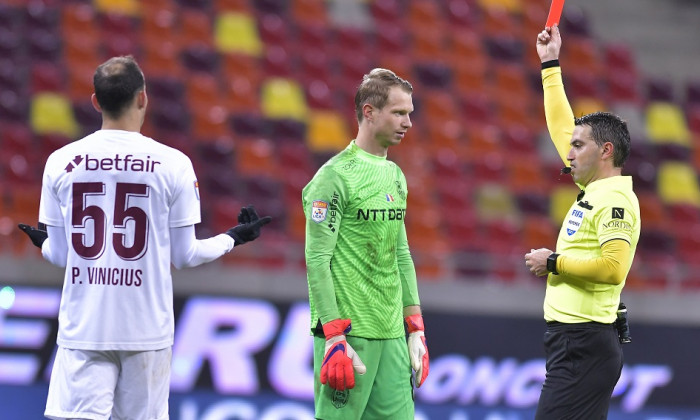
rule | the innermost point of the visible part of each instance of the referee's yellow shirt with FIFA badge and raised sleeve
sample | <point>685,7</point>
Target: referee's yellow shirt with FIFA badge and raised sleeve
<point>608,211</point>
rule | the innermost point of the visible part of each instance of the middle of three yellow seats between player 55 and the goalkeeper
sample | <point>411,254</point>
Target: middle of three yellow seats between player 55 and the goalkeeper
<point>283,98</point>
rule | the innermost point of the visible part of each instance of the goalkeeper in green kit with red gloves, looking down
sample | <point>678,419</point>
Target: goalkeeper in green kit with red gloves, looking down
<point>362,281</point>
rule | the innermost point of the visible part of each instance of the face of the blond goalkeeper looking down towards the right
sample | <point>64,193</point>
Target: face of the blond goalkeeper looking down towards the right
<point>393,121</point>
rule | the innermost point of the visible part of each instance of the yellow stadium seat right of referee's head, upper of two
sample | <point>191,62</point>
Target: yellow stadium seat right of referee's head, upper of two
<point>666,124</point>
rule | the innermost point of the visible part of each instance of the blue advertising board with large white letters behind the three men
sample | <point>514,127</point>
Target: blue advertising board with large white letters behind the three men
<point>247,358</point>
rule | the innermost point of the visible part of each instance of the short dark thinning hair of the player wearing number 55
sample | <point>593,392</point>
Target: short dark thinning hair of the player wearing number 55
<point>117,81</point>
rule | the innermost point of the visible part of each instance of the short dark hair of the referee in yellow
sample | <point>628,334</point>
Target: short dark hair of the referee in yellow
<point>607,127</point>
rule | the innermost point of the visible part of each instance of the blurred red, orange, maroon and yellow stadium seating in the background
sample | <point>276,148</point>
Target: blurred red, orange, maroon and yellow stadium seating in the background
<point>261,92</point>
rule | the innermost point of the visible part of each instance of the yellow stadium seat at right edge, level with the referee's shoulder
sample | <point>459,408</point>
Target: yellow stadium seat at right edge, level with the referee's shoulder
<point>677,183</point>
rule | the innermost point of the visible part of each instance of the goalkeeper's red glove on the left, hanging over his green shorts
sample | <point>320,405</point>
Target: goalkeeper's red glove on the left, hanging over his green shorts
<point>341,361</point>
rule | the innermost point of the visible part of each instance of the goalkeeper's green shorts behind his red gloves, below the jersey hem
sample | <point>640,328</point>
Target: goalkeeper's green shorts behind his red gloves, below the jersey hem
<point>384,392</point>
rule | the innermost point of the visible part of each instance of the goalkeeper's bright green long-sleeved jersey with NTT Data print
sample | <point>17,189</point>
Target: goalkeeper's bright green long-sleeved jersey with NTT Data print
<point>358,263</point>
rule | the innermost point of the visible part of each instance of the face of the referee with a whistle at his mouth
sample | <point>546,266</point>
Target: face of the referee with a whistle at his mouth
<point>585,156</point>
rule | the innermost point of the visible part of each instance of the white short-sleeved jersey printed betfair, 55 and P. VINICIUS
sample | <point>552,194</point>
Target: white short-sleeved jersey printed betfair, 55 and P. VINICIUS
<point>117,194</point>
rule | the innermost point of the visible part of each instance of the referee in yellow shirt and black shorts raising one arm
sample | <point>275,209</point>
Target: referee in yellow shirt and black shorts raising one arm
<point>594,253</point>
